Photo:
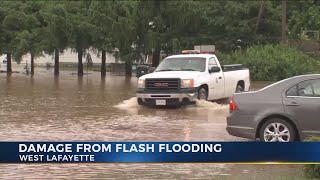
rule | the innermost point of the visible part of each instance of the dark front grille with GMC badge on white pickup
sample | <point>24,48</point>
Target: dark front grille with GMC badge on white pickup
<point>163,84</point>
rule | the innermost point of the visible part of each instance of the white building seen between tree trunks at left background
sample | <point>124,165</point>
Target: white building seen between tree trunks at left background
<point>68,57</point>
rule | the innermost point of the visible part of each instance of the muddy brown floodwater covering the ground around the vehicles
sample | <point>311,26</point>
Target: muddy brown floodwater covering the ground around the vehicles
<point>68,108</point>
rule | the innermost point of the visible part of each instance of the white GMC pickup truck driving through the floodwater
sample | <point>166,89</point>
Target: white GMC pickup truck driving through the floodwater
<point>181,79</point>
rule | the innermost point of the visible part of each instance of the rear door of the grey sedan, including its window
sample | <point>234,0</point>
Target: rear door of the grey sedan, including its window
<point>302,102</point>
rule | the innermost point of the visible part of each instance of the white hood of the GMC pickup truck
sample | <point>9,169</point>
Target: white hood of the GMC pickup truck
<point>172,74</point>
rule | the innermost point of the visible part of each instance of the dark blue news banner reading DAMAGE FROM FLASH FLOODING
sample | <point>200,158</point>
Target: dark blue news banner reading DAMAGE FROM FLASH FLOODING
<point>159,152</point>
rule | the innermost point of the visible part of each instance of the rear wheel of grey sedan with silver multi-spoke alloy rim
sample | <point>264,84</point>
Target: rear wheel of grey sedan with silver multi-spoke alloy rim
<point>277,130</point>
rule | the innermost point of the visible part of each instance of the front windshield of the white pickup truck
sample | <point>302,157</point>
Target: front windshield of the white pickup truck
<point>182,64</point>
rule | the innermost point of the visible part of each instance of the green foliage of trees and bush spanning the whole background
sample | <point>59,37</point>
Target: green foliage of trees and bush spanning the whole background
<point>138,28</point>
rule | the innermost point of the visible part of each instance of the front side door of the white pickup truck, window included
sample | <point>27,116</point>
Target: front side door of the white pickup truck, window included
<point>216,85</point>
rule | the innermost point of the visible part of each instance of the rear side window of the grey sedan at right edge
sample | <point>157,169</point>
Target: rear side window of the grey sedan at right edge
<point>309,88</point>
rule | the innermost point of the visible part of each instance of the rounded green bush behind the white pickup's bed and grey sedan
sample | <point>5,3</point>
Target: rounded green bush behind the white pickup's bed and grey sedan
<point>272,62</point>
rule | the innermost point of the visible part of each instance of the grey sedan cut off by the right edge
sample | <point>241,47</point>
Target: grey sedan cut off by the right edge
<point>288,110</point>
